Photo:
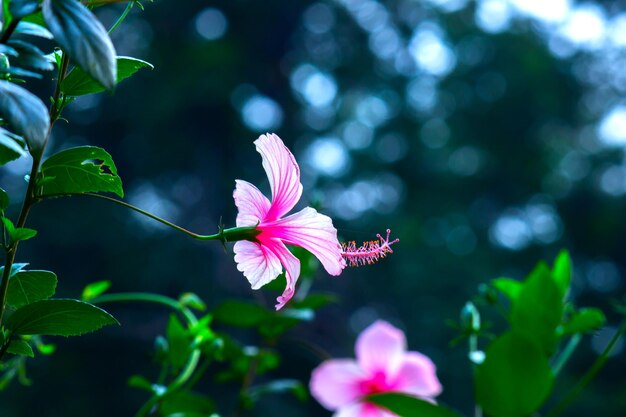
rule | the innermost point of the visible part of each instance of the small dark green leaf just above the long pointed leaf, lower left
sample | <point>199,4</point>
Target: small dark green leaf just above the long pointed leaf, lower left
<point>26,287</point>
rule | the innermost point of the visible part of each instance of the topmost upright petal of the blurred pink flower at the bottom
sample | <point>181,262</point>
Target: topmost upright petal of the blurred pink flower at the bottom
<point>381,348</point>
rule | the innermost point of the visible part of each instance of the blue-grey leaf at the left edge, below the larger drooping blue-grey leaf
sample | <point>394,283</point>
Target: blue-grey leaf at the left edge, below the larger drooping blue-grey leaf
<point>26,114</point>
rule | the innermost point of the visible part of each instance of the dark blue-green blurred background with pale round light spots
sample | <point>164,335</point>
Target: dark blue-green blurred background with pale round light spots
<point>486,134</point>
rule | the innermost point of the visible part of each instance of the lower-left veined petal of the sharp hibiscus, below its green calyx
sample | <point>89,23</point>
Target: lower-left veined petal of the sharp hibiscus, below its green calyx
<point>257,262</point>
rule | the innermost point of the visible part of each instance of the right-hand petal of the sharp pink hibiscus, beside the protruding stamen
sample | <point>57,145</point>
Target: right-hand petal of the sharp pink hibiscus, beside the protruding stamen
<point>314,232</point>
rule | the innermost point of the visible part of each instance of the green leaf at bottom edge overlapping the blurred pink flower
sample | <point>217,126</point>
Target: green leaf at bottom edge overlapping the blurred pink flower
<point>407,406</point>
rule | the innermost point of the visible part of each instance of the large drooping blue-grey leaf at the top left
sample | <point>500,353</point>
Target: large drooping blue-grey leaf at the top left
<point>84,38</point>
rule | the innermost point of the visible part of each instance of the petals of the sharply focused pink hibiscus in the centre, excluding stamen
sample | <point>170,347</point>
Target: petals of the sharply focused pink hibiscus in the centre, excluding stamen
<point>261,260</point>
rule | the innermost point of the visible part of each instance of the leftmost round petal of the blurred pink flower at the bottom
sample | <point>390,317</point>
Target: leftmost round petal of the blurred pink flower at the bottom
<point>336,383</point>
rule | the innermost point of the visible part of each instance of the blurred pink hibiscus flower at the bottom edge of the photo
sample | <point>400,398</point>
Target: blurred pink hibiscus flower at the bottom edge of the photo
<point>382,365</point>
